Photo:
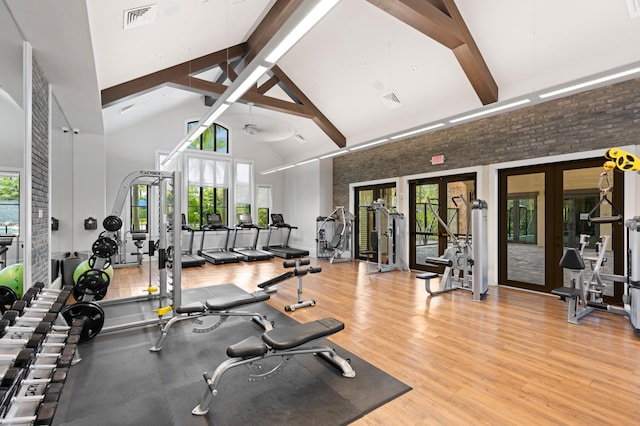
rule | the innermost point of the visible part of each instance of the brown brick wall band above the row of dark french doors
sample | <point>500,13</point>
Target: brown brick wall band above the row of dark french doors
<point>601,118</point>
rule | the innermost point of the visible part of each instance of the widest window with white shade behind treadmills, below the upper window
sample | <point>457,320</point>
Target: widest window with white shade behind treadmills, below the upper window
<point>207,192</point>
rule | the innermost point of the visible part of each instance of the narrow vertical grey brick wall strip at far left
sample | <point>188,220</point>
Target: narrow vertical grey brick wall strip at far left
<point>40,177</point>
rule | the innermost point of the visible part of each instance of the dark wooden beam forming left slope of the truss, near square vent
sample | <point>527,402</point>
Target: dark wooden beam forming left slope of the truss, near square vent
<point>124,91</point>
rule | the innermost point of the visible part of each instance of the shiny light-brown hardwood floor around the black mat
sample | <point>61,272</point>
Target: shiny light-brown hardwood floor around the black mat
<point>511,359</point>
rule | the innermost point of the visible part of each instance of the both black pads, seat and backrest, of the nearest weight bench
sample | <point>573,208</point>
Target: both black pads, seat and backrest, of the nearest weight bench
<point>283,338</point>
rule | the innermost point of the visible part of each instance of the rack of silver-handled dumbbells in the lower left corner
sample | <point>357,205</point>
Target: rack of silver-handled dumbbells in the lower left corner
<point>37,348</point>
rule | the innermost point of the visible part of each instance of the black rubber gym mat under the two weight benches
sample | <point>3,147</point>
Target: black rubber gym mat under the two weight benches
<point>120,382</point>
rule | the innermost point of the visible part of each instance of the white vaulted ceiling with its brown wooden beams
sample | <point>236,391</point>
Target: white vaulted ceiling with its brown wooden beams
<point>370,68</point>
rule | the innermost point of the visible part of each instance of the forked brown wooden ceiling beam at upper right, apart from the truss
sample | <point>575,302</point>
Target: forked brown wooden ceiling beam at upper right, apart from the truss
<point>441,20</point>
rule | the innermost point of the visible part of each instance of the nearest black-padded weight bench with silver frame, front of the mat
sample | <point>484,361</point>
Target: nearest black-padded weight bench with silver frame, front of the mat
<point>283,342</point>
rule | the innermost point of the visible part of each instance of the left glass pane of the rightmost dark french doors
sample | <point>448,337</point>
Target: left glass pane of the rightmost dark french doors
<point>526,228</point>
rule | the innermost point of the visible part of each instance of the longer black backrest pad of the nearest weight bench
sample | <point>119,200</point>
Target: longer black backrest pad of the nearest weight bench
<point>289,337</point>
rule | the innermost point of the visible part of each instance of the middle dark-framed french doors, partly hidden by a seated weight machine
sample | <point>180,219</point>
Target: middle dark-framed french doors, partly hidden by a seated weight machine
<point>444,197</point>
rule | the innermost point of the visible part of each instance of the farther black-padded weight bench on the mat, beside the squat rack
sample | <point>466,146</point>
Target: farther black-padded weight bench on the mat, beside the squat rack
<point>218,306</point>
